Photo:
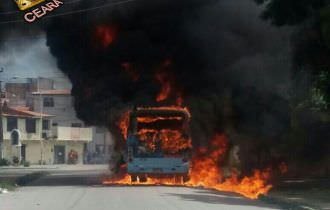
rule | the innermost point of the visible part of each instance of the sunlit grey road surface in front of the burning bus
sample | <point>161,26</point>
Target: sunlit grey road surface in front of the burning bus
<point>123,198</point>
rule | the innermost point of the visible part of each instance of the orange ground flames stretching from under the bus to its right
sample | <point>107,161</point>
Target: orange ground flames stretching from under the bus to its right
<point>205,172</point>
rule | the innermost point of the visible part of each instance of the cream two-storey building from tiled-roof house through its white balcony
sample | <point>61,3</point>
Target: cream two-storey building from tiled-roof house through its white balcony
<point>24,137</point>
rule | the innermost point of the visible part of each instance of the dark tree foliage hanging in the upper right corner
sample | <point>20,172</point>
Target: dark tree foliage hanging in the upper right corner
<point>312,43</point>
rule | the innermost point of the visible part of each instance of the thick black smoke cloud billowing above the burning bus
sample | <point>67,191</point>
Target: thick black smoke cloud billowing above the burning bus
<point>209,48</point>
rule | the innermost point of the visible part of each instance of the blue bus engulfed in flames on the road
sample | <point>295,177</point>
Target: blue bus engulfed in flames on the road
<point>158,143</point>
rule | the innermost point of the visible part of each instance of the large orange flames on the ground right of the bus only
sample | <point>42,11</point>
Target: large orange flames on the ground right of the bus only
<point>206,172</point>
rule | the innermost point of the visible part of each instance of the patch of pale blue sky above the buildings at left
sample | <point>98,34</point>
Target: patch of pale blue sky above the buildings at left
<point>29,57</point>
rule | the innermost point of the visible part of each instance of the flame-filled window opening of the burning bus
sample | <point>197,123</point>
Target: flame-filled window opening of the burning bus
<point>161,131</point>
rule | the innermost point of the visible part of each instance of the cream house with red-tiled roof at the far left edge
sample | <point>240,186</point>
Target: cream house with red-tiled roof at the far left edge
<point>22,136</point>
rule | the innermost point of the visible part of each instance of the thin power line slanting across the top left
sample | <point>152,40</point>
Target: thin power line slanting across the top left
<point>74,11</point>
